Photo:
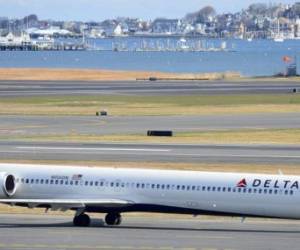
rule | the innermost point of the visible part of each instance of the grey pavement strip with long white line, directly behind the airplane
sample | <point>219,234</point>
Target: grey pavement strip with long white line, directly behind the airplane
<point>117,152</point>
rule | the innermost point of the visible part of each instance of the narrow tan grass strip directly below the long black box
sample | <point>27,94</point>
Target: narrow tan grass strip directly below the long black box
<point>246,136</point>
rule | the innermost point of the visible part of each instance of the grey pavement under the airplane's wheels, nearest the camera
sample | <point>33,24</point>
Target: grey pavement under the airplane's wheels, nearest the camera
<point>145,233</point>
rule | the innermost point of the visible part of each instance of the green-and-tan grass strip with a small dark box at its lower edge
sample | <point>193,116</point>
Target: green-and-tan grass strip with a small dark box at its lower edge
<point>151,105</point>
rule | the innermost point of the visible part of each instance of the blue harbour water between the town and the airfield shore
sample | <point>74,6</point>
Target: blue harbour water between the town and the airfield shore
<point>256,58</point>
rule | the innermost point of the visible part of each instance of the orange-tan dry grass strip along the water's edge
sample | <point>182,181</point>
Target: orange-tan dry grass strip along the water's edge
<point>42,74</point>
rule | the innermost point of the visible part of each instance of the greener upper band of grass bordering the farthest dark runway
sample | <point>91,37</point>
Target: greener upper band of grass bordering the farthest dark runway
<point>186,100</point>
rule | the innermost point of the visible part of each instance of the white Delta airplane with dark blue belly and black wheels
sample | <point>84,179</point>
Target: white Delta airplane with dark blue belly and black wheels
<point>116,190</point>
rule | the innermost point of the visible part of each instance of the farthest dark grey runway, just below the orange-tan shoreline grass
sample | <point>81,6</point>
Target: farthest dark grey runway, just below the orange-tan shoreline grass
<point>40,88</point>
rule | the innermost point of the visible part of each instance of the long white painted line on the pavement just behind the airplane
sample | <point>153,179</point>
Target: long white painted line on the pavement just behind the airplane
<point>95,149</point>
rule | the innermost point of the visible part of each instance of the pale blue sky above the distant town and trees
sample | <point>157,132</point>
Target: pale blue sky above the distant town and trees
<point>97,10</point>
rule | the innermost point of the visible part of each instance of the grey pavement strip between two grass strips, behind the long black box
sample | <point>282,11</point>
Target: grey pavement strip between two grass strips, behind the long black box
<point>63,125</point>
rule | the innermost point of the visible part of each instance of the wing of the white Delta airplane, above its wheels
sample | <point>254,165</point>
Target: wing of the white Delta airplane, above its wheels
<point>65,204</point>
